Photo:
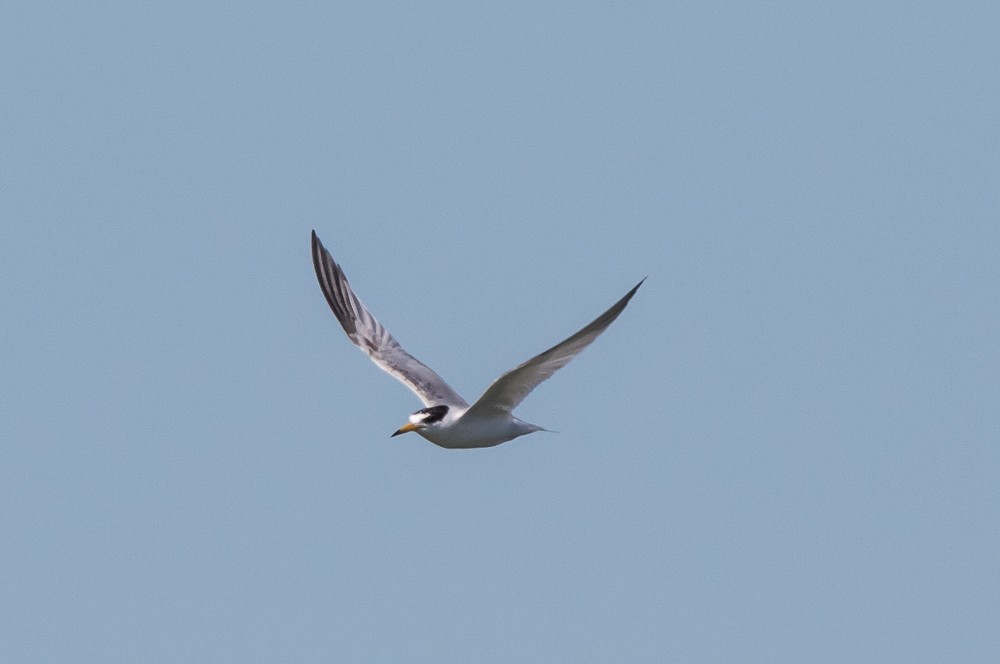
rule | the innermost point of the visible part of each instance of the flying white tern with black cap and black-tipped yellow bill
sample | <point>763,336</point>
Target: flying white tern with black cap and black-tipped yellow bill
<point>447,419</point>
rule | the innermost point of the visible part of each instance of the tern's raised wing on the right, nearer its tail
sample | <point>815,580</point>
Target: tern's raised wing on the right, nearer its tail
<point>508,390</point>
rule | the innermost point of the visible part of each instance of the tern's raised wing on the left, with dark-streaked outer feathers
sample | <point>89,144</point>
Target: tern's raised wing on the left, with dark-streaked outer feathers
<point>369,335</point>
